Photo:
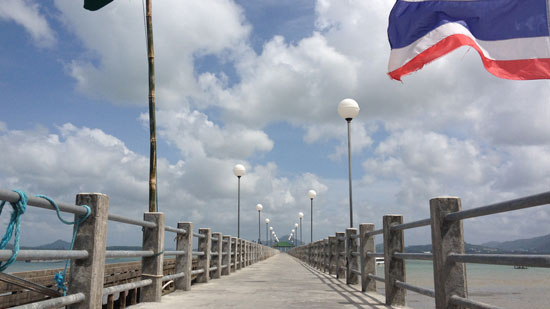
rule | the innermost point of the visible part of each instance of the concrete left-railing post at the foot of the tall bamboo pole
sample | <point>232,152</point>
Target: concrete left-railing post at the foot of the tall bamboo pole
<point>151,266</point>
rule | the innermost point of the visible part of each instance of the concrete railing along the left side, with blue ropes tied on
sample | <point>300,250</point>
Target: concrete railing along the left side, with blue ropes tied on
<point>218,254</point>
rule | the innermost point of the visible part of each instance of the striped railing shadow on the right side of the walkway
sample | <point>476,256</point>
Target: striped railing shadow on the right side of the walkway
<point>351,294</point>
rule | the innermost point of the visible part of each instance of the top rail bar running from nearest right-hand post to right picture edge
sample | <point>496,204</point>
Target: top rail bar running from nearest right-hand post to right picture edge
<point>520,203</point>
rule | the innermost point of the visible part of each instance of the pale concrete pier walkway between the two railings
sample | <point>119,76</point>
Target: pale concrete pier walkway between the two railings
<point>278,282</point>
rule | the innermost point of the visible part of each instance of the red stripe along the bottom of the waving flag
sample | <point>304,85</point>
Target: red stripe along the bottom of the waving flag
<point>523,69</point>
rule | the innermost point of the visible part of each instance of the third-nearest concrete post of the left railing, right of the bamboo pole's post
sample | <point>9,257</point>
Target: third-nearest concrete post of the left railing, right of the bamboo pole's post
<point>184,263</point>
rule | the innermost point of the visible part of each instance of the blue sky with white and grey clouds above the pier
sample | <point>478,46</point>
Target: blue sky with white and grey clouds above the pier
<point>258,83</point>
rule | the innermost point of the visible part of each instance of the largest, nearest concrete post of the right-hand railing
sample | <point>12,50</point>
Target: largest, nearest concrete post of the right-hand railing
<point>447,237</point>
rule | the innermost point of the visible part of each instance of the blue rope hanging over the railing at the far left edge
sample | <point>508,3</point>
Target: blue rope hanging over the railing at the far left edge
<point>19,208</point>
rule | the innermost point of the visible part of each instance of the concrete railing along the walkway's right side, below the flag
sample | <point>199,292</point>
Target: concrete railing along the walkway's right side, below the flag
<point>352,255</point>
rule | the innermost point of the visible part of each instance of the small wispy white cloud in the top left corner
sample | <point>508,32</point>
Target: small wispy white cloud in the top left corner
<point>27,14</point>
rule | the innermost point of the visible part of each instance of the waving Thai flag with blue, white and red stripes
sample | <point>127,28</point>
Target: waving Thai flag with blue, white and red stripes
<point>511,36</point>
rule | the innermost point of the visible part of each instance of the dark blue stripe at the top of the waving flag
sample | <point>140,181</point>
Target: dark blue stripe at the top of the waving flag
<point>488,20</point>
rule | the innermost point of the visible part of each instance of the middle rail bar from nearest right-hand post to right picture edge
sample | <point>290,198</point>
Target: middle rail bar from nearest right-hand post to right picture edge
<point>501,259</point>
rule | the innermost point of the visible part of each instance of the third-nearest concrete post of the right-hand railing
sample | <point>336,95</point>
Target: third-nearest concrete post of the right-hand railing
<point>368,264</point>
